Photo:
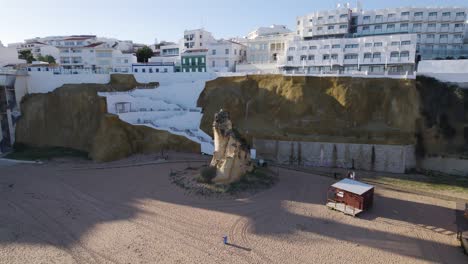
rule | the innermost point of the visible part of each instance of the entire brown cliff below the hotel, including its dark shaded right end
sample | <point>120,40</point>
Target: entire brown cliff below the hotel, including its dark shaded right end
<point>422,112</point>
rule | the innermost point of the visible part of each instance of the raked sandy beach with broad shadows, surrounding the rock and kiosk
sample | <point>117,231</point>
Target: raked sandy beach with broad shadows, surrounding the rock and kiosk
<point>55,213</point>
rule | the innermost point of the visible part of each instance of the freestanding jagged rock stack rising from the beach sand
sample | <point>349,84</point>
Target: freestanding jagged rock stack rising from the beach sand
<point>232,155</point>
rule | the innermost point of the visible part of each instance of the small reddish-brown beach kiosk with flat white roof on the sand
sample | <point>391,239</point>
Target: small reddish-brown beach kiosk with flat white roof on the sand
<point>350,197</point>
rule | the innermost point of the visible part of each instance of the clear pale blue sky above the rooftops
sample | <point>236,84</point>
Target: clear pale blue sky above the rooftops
<point>144,20</point>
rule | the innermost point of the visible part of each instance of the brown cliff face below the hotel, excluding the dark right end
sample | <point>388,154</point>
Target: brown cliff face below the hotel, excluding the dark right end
<point>354,110</point>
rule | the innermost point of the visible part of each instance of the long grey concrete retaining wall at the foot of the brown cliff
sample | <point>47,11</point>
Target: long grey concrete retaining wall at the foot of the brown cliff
<point>382,158</point>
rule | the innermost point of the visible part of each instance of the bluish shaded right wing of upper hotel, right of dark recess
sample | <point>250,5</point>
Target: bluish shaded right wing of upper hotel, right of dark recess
<point>441,31</point>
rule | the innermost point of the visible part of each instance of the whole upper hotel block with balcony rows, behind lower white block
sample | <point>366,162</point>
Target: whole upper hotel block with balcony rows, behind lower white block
<point>441,31</point>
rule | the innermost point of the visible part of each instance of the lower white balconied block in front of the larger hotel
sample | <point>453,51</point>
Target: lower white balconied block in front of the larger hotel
<point>372,54</point>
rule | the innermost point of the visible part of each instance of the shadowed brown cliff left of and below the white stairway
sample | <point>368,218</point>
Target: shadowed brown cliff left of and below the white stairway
<point>74,116</point>
